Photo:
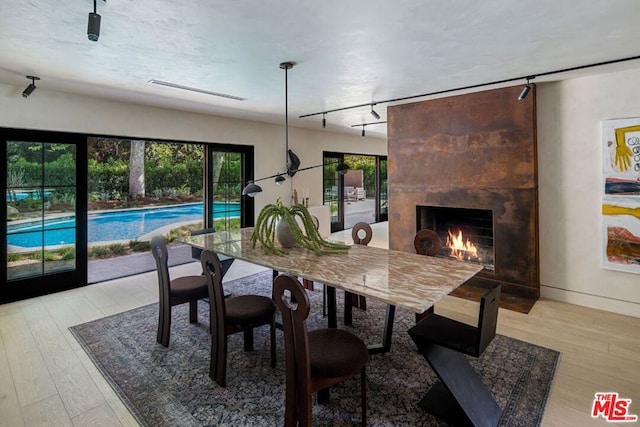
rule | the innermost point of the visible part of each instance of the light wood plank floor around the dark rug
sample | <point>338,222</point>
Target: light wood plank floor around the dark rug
<point>46,379</point>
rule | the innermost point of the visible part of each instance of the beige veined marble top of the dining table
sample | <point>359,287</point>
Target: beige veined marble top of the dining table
<point>412,281</point>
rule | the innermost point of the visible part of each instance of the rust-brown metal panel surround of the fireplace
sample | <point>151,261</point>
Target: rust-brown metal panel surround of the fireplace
<point>473,151</point>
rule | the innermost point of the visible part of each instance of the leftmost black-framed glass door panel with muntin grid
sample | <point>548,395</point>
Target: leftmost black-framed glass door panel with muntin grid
<point>45,217</point>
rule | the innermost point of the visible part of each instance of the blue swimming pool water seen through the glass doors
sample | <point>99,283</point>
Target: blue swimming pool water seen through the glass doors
<point>119,225</point>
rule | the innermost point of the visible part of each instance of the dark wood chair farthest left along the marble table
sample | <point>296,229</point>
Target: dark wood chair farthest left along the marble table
<point>181,290</point>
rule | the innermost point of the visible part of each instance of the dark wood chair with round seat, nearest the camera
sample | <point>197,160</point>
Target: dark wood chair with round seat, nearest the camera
<point>317,359</point>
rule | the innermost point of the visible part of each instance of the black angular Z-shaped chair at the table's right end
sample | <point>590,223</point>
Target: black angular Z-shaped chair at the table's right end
<point>460,396</point>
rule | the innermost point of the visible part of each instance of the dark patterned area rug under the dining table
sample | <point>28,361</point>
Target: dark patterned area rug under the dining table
<point>171,386</point>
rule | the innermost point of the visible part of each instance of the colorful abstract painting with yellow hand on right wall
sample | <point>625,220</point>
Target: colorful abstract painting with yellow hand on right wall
<point>621,195</point>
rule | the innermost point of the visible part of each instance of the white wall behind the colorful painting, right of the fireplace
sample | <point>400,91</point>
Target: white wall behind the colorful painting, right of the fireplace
<point>570,189</point>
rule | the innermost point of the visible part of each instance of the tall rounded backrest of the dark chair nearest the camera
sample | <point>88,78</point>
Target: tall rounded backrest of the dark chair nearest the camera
<point>293,303</point>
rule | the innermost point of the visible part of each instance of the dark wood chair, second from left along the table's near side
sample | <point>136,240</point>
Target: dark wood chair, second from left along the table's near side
<point>228,316</point>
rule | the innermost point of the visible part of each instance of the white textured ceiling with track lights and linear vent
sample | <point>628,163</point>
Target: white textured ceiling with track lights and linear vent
<point>346,52</point>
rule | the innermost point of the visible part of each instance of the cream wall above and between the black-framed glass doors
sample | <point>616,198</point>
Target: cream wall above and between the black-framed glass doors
<point>48,110</point>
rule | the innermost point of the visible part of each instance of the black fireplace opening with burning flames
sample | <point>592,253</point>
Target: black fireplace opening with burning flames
<point>466,234</point>
